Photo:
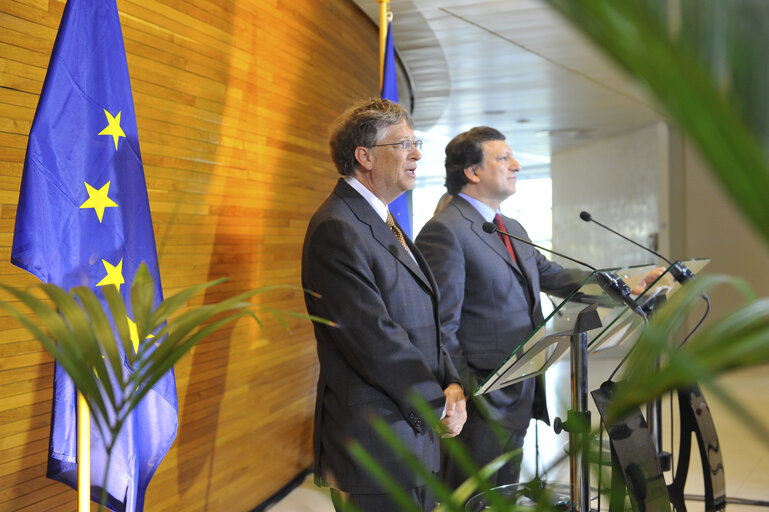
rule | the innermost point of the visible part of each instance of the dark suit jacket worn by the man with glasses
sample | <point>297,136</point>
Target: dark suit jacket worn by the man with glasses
<point>385,348</point>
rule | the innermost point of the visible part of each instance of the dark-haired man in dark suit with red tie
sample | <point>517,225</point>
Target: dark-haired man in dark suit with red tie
<point>489,294</point>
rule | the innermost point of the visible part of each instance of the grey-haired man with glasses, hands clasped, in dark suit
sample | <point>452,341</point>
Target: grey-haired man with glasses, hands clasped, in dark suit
<point>375,285</point>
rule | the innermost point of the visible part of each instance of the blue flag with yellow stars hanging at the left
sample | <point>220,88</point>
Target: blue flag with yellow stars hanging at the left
<point>83,219</point>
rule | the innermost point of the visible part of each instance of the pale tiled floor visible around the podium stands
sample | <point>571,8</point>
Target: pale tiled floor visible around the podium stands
<point>746,455</point>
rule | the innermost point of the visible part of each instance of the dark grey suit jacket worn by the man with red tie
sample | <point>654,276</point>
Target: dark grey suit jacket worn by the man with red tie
<point>489,304</point>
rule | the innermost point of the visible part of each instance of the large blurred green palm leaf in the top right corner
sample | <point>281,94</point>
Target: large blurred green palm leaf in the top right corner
<point>636,36</point>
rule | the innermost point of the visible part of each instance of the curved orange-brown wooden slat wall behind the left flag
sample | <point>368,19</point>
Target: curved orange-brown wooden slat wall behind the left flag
<point>233,99</point>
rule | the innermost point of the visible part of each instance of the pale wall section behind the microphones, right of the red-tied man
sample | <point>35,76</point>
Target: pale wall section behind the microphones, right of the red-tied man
<point>616,180</point>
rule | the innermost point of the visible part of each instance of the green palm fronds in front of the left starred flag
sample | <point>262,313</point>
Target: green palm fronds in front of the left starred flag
<point>92,342</point>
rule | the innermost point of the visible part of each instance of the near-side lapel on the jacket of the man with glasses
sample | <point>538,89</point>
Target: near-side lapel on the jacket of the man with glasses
<point>381,233</point>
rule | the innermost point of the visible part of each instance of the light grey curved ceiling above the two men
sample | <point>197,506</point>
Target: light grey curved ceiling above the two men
<point>512,64</point>
